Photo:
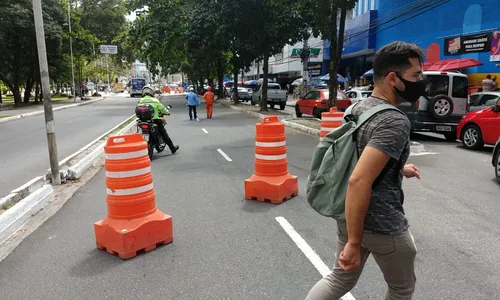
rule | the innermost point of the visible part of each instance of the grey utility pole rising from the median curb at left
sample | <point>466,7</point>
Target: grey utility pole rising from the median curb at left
<point>50,126</point>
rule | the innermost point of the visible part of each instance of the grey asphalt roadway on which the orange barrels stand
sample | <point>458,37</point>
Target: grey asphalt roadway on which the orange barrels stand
<point>226,247</point>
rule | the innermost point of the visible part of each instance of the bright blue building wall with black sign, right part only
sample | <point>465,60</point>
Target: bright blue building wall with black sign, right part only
<point>455,29</point>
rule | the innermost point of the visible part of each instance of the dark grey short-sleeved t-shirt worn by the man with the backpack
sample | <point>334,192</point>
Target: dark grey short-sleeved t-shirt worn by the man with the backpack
<point>388,131</point>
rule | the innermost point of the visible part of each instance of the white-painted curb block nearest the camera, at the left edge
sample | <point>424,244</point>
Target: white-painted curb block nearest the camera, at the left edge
<point>14,218</point>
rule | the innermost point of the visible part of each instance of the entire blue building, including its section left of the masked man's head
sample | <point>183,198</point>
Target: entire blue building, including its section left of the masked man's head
<point>443,29</point>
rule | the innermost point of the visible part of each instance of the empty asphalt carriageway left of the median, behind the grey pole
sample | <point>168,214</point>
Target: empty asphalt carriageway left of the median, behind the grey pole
<point>24,151</point>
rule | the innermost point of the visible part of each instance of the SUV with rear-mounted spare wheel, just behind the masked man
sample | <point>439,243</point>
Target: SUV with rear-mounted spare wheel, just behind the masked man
<point>444,106</point>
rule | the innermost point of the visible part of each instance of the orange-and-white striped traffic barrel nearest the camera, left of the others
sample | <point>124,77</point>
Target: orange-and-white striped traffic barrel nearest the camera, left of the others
<point>133,222</point>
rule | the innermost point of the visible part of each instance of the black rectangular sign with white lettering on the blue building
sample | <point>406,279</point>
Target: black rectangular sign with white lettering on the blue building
<point>468,44</point>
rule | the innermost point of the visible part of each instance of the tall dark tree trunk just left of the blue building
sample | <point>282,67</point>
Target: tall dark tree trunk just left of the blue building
<point>332,97</point>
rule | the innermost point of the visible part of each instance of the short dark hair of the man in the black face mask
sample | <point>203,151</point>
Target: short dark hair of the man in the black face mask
<point>395,57</point>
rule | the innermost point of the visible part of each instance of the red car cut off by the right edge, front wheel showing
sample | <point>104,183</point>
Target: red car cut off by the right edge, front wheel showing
<point>480,127</point>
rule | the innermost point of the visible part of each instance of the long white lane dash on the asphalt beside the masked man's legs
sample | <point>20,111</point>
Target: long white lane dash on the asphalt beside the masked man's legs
<point>308,252</point>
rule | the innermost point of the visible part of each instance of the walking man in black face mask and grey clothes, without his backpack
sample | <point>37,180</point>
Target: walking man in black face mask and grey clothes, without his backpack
<point>375,221</point>
